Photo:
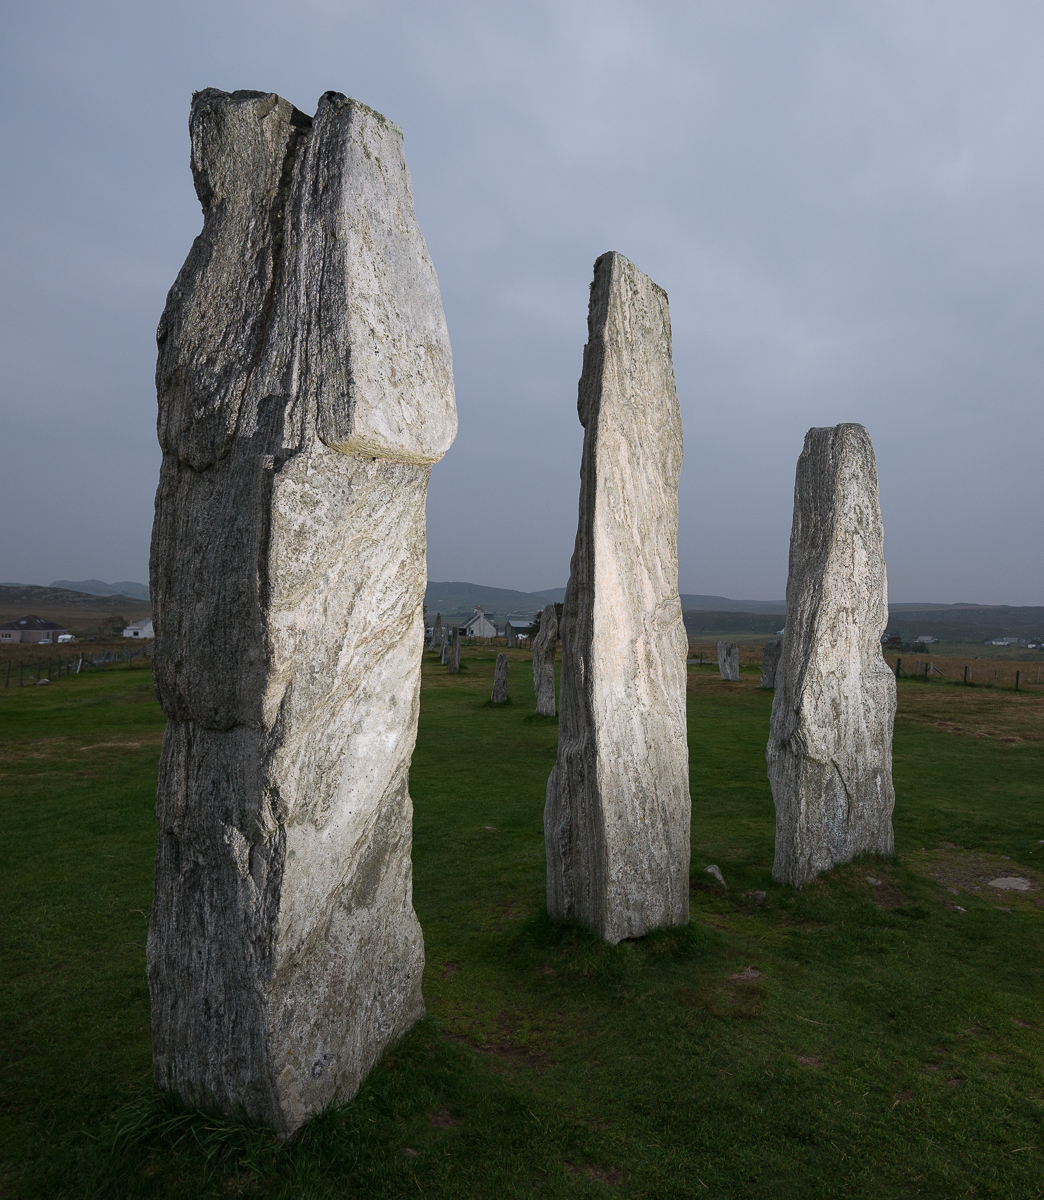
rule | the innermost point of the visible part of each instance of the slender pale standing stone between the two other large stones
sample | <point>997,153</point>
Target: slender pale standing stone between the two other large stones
<point>617,814</point>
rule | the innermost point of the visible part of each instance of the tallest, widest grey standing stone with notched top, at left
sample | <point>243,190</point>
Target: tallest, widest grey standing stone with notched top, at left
<point>305,387</point>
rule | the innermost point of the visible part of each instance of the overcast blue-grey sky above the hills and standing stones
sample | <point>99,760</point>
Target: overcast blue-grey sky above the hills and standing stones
<point>844,201</point>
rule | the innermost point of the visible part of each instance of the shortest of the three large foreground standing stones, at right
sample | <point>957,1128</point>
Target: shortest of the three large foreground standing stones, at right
<point>830,751</point>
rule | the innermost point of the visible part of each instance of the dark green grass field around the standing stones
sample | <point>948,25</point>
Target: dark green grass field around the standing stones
<point>853,1040</point>
